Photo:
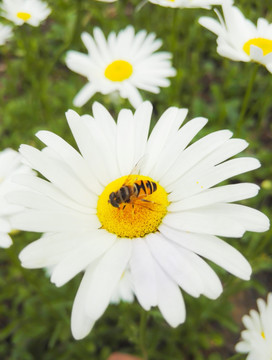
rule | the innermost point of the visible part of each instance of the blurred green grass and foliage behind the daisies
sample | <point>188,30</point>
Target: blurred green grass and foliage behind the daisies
<point>36,89</point>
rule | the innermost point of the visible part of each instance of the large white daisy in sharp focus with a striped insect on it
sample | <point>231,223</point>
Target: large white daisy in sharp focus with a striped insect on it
<point>132,202</point>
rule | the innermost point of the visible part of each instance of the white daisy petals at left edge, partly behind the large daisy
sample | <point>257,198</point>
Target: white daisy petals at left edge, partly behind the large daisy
<point>10,165</point>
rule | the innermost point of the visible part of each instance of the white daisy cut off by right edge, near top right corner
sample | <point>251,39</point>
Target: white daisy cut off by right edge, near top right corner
<point>239,39</point>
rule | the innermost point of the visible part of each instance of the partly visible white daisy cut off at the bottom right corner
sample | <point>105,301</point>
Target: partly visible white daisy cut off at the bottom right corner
<point>257,338</point>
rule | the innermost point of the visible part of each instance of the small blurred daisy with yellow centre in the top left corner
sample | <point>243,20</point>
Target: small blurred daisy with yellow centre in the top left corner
<point>32,12</point>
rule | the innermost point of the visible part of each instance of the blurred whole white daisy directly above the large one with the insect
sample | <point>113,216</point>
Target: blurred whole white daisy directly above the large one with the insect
<point>125,62</point>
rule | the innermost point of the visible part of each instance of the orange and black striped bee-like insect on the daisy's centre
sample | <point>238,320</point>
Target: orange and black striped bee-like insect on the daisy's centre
<point>132,192</point>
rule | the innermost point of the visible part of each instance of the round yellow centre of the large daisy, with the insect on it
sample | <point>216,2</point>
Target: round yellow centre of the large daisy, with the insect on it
<point>135,210</point>
